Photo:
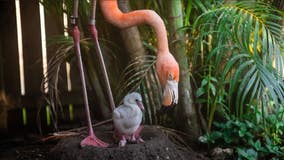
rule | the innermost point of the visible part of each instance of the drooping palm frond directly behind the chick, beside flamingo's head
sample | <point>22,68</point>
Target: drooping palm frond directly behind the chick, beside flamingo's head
<point>140,75</point>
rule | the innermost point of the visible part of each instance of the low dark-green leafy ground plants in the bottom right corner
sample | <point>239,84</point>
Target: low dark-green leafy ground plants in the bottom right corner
<point>253,137</point>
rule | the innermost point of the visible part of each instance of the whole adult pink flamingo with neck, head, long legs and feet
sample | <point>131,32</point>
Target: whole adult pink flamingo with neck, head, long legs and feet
<point>167,67</point>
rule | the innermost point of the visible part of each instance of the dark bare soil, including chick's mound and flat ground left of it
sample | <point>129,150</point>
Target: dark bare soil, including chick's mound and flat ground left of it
<point>157,146</point>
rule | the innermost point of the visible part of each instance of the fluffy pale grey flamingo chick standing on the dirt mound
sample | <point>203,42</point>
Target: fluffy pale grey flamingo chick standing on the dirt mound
<point>127,119</point>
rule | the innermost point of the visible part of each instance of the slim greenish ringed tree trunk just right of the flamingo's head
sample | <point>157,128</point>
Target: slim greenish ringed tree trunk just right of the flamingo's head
<point>186,110</point>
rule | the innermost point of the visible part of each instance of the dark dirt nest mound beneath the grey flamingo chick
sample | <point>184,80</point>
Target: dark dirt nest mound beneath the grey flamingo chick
<point>156,147</point>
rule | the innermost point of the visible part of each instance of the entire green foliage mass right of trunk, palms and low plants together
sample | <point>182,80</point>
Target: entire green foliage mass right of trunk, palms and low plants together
<point>238,48</point>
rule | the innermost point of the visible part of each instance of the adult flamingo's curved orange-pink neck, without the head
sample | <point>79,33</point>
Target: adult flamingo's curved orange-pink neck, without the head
<point>124,20</point>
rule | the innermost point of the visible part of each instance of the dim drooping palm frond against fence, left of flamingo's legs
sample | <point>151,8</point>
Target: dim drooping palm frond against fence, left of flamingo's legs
<point>64,52</point>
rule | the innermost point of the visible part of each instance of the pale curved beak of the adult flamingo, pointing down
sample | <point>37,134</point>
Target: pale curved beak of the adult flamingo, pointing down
<point>170,93</point>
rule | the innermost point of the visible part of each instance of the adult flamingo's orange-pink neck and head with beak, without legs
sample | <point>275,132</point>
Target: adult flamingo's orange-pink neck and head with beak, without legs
<point>167,67</point>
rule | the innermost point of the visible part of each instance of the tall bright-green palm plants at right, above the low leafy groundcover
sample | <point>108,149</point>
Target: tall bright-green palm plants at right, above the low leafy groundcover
<point>237,50</point>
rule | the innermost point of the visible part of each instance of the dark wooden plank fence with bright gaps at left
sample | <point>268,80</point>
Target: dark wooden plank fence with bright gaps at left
<point>22,110</point>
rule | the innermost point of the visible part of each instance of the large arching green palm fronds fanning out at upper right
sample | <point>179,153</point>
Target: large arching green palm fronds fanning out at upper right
<point>248,38</point>
